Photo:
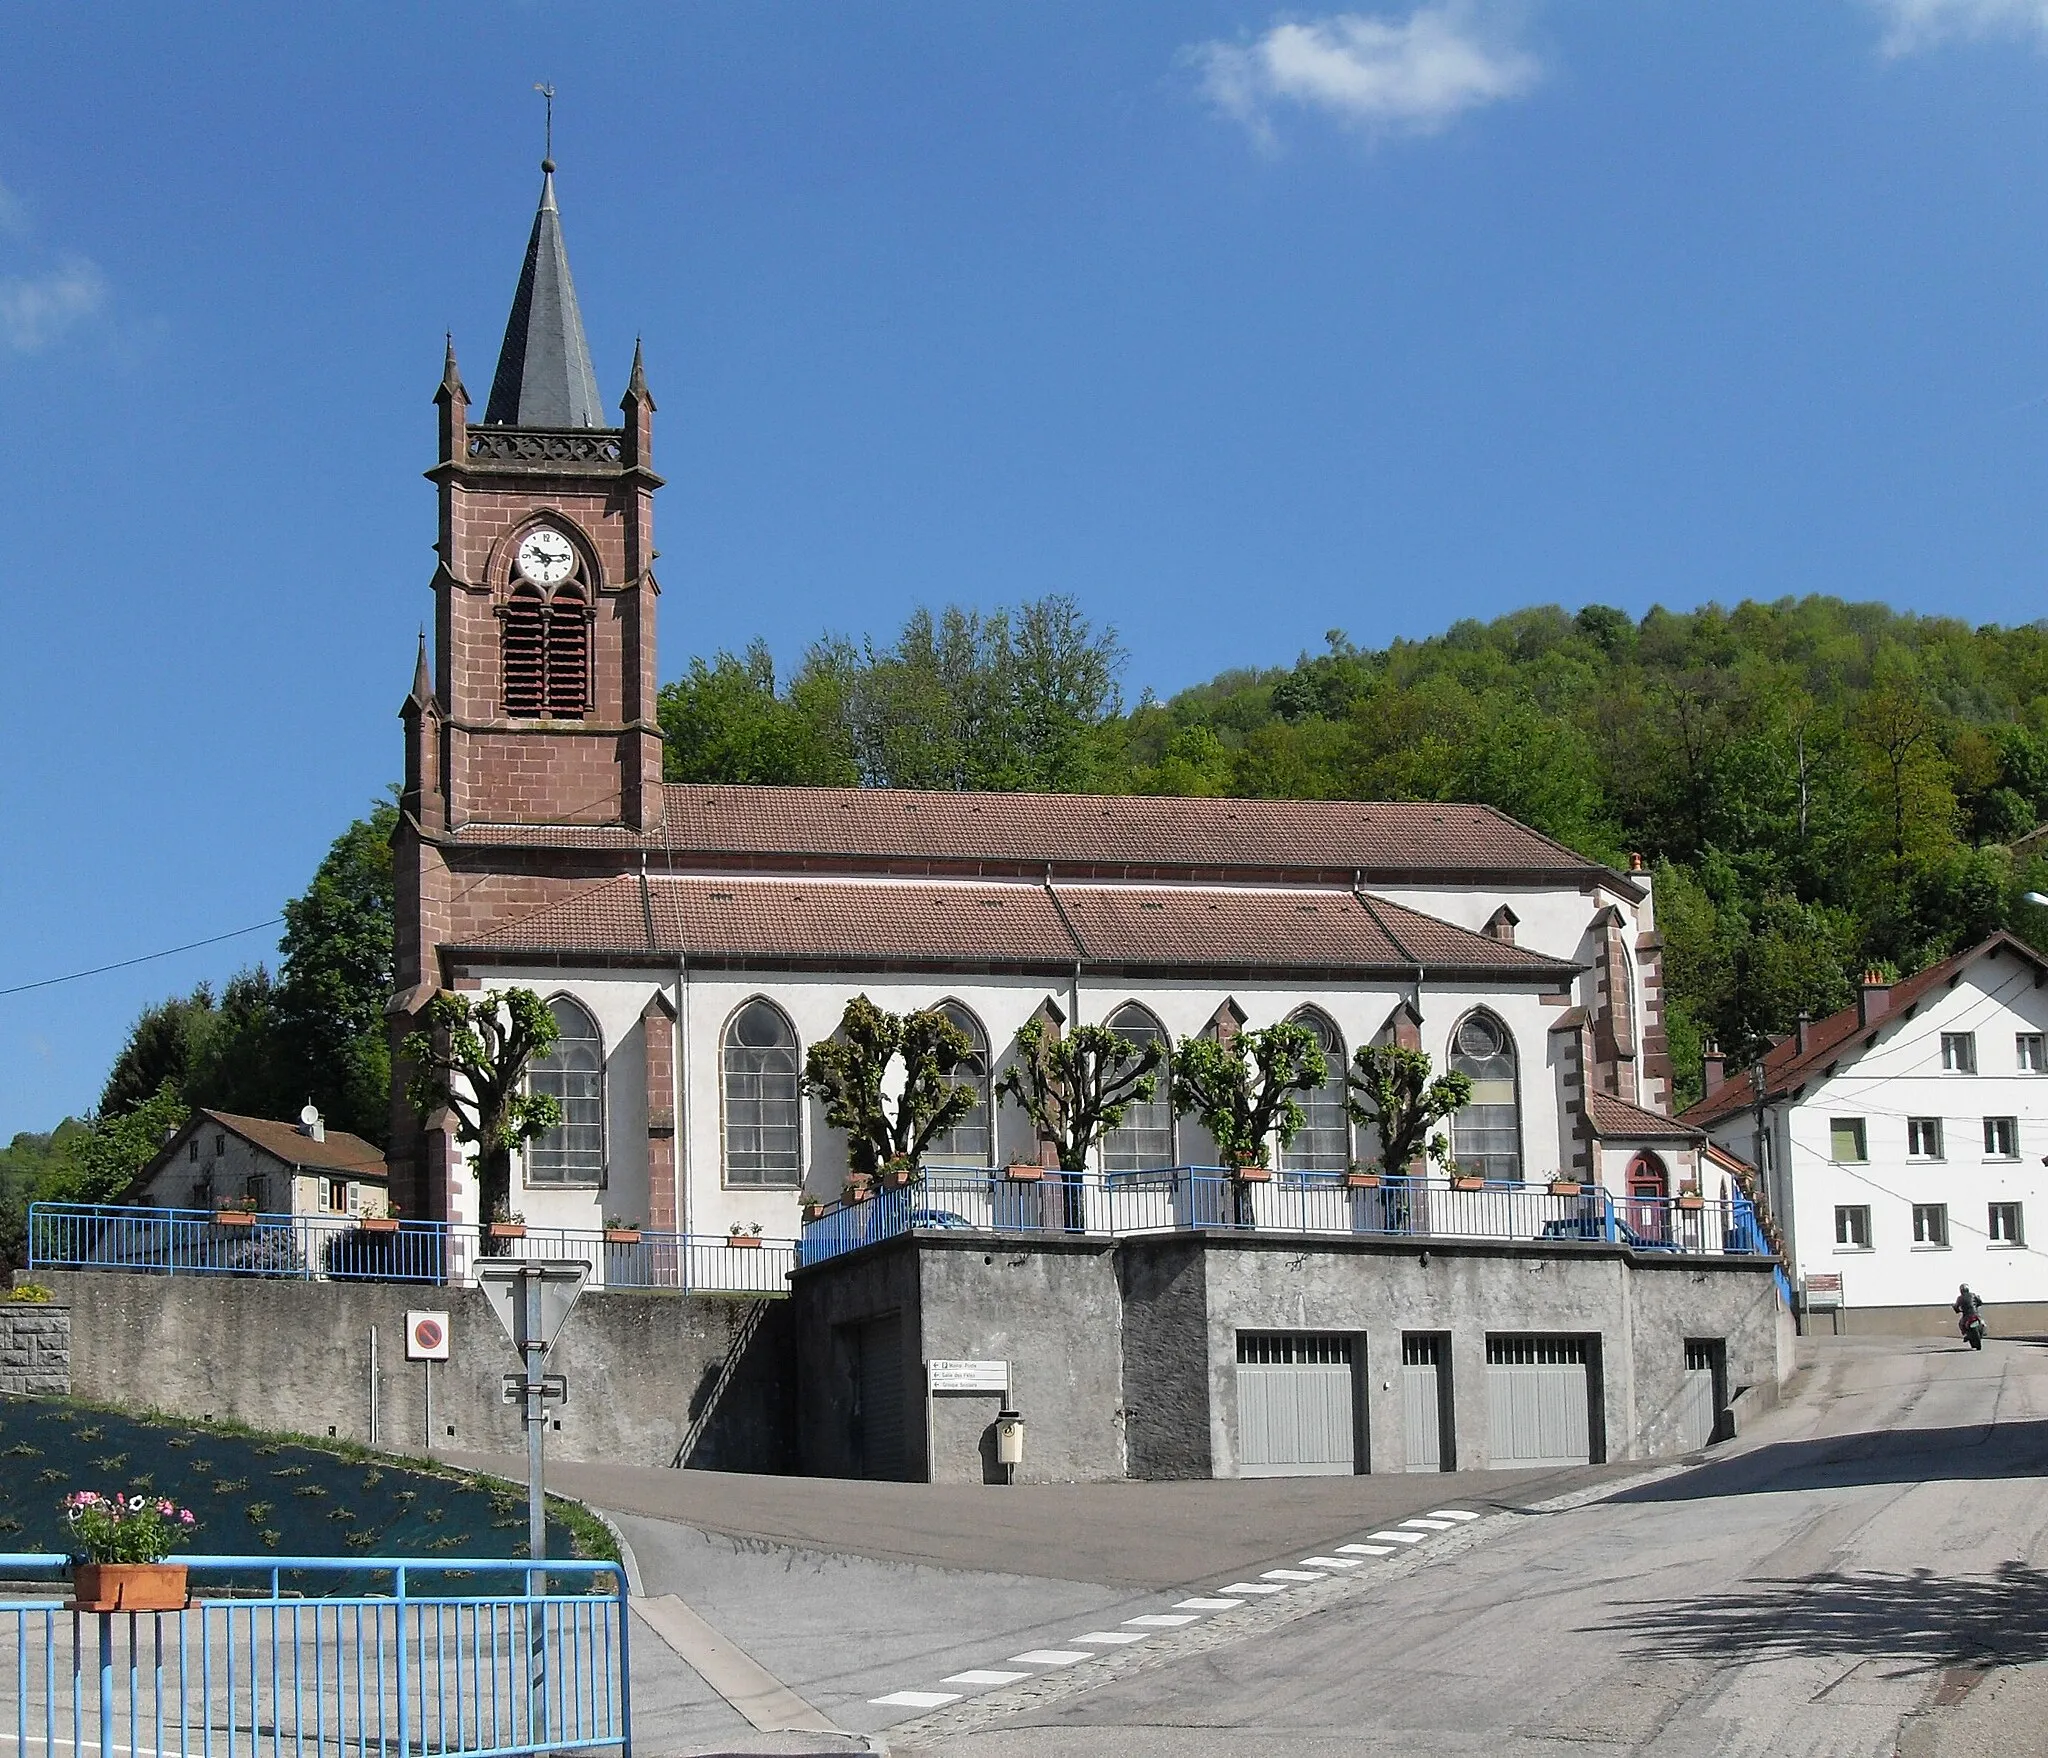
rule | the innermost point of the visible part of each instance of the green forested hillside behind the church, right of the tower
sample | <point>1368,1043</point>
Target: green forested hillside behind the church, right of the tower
<point>1818,786</point>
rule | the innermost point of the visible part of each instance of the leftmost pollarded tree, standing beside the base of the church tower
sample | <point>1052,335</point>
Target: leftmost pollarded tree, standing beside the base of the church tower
<point>472,1058</point>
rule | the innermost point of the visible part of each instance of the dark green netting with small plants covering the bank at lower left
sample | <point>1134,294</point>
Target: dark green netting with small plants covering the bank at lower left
<point>259,1497</point>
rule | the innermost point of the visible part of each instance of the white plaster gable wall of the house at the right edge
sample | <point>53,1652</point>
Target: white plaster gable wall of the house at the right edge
<point>1904,1079</point>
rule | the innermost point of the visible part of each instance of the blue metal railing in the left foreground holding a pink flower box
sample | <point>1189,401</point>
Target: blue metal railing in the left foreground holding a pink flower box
<point>404,1673</point>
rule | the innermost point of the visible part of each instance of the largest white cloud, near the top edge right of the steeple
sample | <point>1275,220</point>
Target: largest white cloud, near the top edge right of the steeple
<point>1410,75</point>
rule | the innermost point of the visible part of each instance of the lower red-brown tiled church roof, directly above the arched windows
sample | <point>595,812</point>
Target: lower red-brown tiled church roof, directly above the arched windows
<point>906,921</point>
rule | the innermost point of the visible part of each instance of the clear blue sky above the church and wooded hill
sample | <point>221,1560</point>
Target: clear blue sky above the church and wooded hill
<point>1238,325</point>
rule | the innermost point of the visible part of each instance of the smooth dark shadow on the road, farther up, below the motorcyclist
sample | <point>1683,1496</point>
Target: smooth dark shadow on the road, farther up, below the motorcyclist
<point>1842,1462</point>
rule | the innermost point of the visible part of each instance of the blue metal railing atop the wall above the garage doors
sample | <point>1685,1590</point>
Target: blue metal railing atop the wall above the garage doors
<point>1209,1200</point>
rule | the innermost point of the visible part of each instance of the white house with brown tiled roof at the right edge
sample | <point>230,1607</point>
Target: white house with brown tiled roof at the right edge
<point>1902,1140</point>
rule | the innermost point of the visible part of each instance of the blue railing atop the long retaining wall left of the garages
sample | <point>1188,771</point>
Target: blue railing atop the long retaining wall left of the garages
<point>196,1243</point>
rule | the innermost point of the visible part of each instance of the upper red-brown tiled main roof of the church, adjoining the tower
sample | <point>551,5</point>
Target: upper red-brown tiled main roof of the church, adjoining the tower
<point>826,827</point>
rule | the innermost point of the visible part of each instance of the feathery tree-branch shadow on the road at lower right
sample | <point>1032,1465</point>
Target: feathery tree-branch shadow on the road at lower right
<point>1916,1618</point>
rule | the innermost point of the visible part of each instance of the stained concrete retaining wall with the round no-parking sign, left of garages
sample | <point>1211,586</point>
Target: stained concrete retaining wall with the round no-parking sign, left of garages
<point>298,1357</point>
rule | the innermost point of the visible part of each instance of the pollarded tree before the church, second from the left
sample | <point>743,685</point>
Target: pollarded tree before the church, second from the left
<point>851,1069</point>
